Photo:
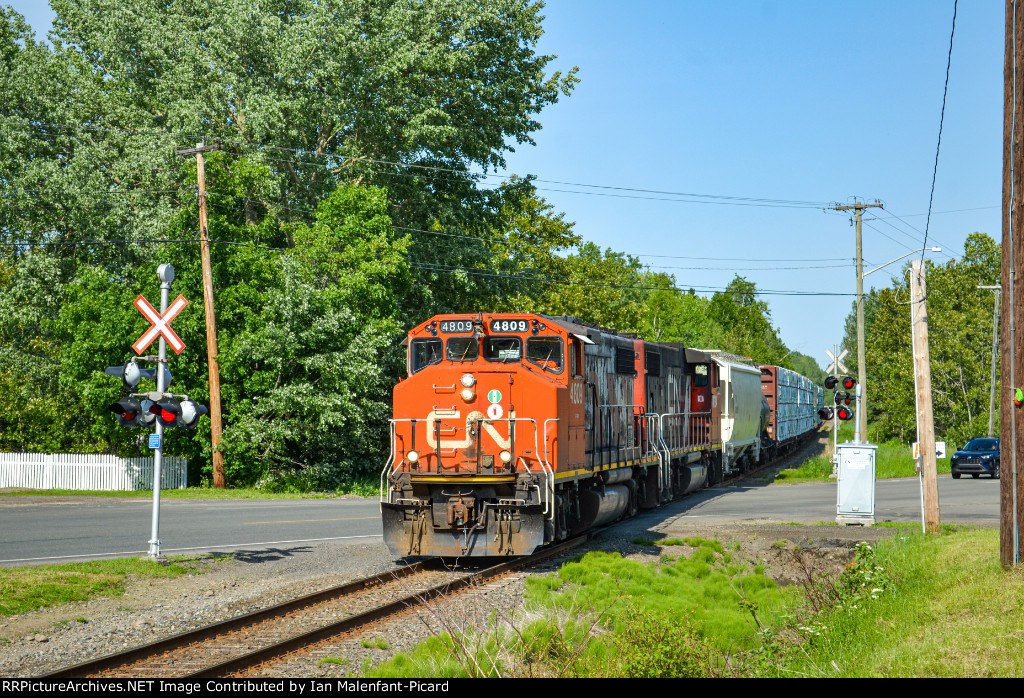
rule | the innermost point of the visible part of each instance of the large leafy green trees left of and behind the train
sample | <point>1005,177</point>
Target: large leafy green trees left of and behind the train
<point>346,205</point>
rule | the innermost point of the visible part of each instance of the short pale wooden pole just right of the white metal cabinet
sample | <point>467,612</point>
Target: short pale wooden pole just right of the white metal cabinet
<point>923,384</point>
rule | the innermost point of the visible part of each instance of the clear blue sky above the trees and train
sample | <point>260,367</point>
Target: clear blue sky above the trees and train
<point>793,102</point>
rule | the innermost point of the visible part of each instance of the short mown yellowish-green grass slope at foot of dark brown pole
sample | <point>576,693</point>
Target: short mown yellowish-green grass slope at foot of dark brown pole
<point>951,612</point>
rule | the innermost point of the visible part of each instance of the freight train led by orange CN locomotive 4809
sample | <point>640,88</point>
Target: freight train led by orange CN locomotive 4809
<point>513,431</point>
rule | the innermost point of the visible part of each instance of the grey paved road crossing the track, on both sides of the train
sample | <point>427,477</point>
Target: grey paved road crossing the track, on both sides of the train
<point>51,530</point>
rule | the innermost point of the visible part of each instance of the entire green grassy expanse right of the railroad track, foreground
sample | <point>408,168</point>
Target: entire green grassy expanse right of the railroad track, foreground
<point>913,606</point>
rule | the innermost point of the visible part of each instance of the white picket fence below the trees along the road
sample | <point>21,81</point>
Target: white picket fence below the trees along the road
<point>76,471</point>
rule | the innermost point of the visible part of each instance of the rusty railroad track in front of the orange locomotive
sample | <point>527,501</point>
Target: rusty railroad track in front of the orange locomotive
<point>257,640</point>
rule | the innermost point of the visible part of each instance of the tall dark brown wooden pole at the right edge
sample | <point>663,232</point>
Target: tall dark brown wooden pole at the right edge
<point>1012,442</point>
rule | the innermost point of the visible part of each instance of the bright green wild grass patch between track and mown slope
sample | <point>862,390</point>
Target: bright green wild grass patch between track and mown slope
<point>603,616</point>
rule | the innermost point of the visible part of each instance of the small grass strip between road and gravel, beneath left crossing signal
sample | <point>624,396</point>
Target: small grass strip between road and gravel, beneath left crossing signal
<point>28,589</point>
